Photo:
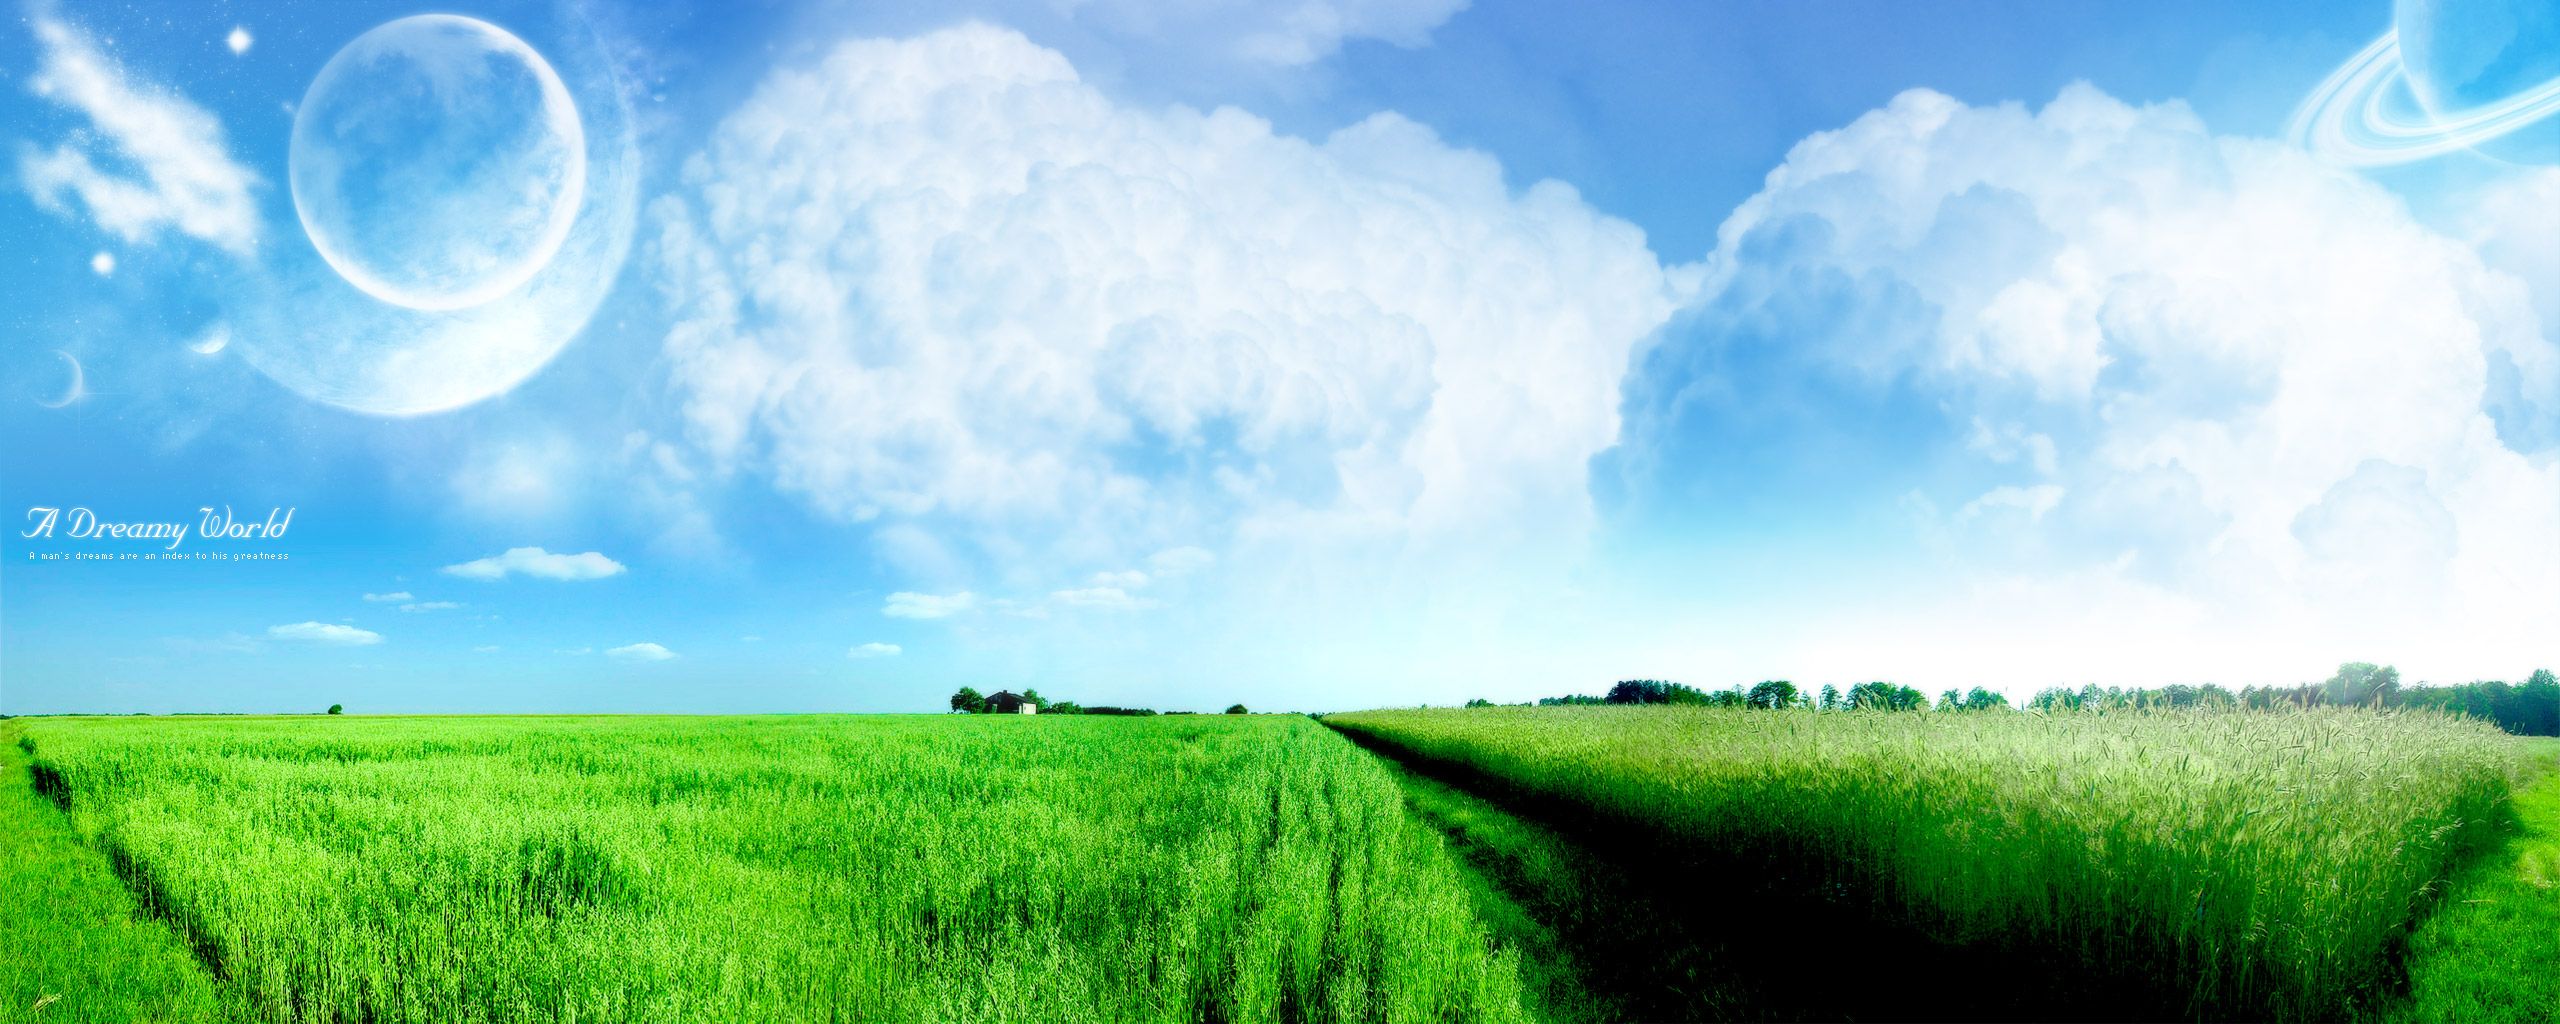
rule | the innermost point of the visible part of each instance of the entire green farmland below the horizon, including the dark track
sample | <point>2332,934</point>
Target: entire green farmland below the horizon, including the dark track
<point>1478,867</point>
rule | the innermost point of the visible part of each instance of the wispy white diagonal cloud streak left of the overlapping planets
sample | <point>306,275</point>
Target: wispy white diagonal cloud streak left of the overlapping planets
<point>188,178</point>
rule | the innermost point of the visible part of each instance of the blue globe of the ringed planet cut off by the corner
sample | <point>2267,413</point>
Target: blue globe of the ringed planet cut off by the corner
<point>2469,55</point>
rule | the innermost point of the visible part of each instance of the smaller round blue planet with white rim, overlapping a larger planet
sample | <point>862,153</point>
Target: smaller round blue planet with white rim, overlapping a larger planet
<point>439,163</point>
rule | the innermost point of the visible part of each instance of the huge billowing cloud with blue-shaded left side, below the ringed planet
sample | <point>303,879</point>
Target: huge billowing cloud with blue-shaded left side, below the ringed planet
<point>2172,383</point>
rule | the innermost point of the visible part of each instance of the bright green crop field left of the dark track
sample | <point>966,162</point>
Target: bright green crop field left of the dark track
<point>792,869</point>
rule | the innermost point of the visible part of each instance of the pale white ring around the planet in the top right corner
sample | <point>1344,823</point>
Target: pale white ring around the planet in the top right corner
<point>2346,116</point>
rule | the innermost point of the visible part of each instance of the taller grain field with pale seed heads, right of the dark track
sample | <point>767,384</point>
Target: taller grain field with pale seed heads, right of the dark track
<point>2141,861</point>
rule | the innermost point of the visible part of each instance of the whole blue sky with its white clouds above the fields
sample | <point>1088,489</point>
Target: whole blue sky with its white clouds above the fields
<point>1322,355</point>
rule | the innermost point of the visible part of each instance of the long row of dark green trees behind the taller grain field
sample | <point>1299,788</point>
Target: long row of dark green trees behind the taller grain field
<point>2531,708</point>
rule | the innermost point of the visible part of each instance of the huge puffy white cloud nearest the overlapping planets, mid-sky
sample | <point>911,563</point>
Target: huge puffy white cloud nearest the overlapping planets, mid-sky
<point>948,283</point>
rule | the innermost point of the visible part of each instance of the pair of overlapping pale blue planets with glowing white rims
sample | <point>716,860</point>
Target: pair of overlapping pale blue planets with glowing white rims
<point>470,204</point>
